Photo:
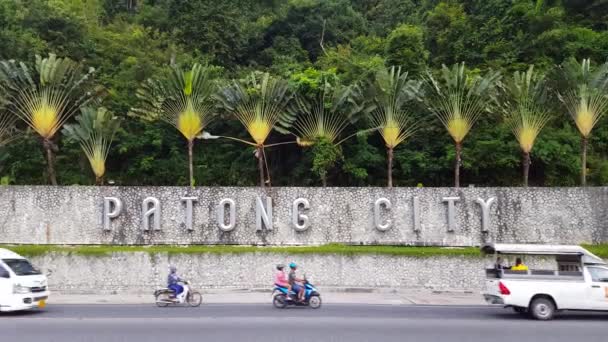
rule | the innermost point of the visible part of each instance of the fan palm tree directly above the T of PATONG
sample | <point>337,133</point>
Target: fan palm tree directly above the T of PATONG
<point>183,99</point>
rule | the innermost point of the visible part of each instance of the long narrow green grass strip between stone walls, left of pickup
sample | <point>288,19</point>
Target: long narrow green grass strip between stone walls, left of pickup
<point>337,249</point>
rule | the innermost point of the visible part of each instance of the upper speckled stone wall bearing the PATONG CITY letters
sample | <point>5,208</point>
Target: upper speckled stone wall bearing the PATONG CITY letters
<point>417,216</point>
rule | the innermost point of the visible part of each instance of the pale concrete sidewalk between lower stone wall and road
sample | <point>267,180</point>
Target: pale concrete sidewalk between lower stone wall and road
<point>329,296</point>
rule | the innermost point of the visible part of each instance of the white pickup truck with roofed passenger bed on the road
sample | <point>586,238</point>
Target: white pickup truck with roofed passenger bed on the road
<point>559,278</point>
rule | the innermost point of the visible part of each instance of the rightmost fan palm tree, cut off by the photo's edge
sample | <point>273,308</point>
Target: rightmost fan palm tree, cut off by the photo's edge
<point>585,95</point>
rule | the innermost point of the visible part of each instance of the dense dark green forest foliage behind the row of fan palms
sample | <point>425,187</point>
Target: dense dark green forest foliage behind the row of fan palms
<point>307,42</point>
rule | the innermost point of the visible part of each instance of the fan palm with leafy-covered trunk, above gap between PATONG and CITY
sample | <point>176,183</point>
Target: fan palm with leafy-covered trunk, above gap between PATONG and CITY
<point>321,119</point>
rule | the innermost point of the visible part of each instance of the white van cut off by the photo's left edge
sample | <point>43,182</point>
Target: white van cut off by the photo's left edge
<point>22,287</point>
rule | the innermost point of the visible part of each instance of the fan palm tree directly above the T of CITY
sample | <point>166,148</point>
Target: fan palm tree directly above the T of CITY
<point>458,100</point>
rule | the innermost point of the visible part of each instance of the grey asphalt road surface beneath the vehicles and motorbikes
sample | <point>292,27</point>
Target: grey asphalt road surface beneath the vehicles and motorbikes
<point>250,323</point>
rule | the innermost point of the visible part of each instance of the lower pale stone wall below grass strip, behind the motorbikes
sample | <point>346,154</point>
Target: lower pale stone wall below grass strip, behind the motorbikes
<point>141,273</point>
